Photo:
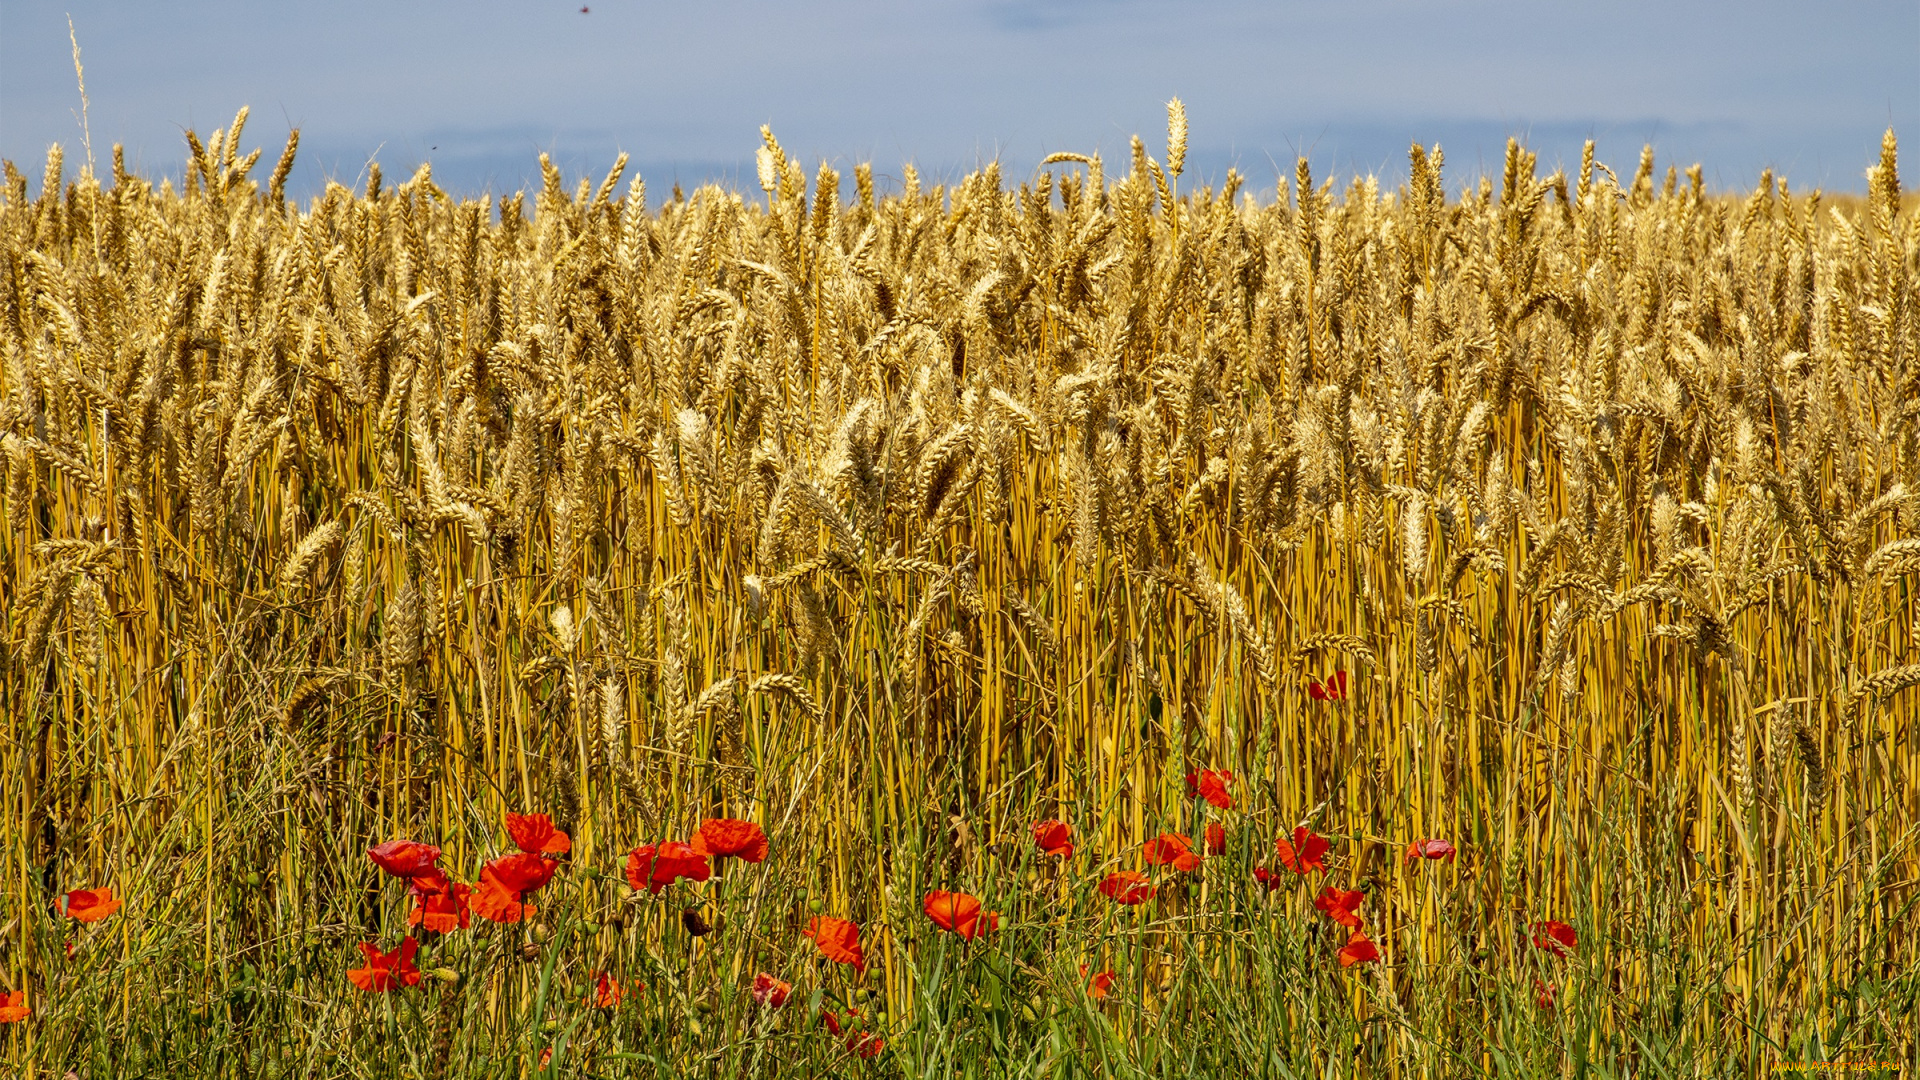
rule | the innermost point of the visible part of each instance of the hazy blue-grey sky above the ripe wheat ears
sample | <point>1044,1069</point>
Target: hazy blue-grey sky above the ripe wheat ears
<point>483,87</point>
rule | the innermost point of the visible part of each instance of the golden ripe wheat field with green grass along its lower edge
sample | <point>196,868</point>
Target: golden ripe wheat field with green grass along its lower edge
<point>1572,522</point>
